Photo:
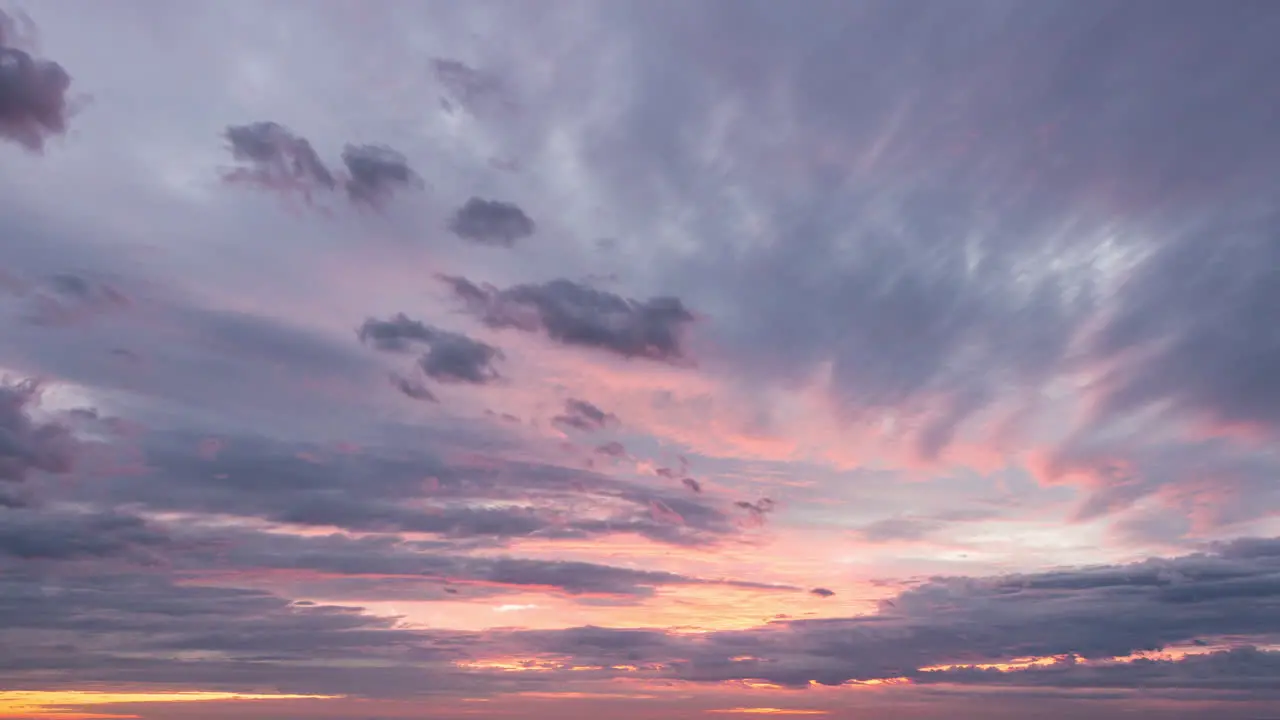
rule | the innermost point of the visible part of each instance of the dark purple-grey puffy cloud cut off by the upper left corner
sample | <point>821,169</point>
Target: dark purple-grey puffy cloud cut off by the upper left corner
<point>33,90</point>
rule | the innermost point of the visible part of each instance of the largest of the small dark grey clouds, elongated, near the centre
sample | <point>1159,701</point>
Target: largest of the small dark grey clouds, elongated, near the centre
<point>578,315</point>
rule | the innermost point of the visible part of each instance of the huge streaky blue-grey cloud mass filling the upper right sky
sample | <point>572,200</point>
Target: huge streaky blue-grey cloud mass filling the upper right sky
<point>893,257</point>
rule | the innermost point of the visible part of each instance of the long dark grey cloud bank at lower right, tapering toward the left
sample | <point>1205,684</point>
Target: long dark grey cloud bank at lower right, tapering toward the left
<point>1091,613</point>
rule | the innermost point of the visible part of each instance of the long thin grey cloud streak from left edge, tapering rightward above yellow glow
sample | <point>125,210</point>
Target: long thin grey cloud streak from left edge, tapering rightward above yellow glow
<point>333,567</point>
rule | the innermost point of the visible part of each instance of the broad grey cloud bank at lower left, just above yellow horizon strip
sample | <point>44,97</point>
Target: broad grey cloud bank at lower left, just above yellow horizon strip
<point>144,630</point>
